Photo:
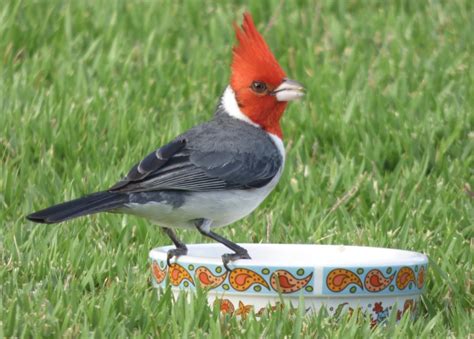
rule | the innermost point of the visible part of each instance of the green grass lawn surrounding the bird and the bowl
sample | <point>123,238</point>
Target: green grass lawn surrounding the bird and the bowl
<point>379,153</point>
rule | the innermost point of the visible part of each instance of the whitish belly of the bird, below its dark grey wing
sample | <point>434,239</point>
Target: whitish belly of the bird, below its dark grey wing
<point>222,207</point>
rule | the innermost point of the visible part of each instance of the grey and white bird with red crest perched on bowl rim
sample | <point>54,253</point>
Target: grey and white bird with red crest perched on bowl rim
<point>215,173</point>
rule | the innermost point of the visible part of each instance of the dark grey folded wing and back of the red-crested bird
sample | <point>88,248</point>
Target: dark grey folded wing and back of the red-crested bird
<point>205,159</point>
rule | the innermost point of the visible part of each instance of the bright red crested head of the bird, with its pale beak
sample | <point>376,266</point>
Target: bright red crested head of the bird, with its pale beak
<point>259,83</point>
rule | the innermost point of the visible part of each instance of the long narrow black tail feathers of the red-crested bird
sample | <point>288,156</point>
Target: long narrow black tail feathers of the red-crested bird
<point>90,204</point>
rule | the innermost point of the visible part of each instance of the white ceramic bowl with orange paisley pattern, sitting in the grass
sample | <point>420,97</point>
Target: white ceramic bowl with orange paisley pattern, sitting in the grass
<point>376,281</point>
